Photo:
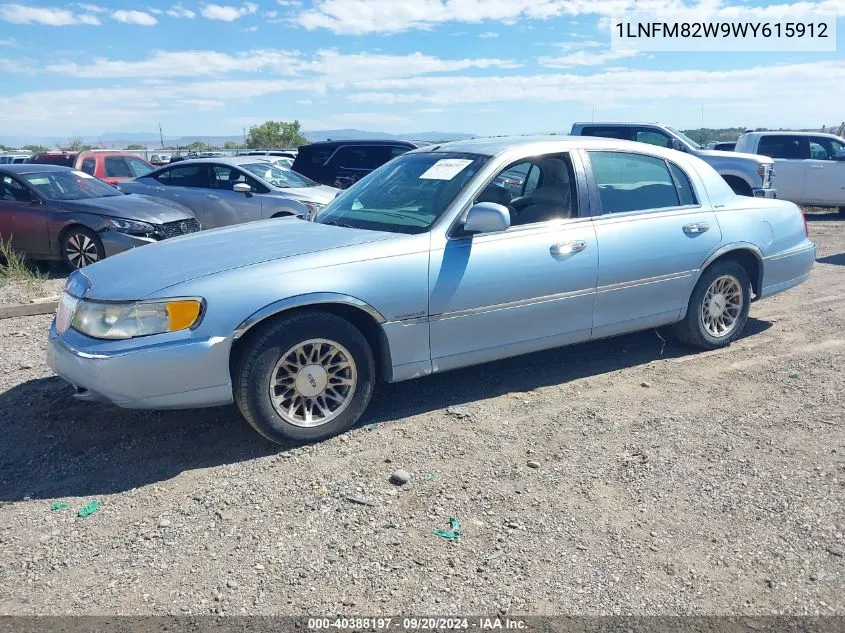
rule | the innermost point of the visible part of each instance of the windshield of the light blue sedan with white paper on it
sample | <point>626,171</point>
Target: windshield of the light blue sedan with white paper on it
<point>405,195</point>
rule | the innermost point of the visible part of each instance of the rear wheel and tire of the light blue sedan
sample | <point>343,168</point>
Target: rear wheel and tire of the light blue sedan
<point>718,307</point>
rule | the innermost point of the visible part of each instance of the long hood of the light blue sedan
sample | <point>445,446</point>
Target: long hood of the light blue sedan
<point>139,272</point>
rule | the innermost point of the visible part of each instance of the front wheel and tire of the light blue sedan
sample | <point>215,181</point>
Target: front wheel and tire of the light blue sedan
<point>304,377</point>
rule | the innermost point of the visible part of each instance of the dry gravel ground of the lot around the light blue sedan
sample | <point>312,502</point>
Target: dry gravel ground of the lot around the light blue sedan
<point>630,476</point>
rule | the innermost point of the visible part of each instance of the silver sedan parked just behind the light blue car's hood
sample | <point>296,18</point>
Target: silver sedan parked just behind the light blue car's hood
<point>224,191</point>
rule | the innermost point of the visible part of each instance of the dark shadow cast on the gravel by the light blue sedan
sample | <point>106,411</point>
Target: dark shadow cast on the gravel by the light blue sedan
<point>55,446</point>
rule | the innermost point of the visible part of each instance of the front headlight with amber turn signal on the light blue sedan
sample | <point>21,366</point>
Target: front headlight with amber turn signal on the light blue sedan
<point>141,318</point>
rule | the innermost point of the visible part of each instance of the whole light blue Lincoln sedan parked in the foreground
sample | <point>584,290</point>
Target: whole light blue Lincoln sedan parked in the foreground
<point>427,264</point>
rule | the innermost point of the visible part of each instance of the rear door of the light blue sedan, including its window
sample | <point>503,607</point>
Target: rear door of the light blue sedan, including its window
<point>654,230</point>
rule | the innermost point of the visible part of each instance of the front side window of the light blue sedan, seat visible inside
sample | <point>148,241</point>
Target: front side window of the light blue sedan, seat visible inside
<point>545,191</point>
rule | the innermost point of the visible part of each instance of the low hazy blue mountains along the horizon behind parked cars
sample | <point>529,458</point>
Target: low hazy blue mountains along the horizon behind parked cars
<point>120,140</point>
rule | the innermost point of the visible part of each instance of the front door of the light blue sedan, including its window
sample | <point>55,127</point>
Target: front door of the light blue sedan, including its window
<point>527,288</point>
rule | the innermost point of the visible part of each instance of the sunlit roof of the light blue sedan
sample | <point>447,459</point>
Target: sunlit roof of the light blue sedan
<point>500,145</point>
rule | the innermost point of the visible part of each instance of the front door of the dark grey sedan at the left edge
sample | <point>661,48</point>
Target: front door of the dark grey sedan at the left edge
<point>23,219</point>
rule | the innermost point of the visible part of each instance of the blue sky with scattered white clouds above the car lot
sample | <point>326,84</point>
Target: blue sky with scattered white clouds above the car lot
<point>474,66</point>
